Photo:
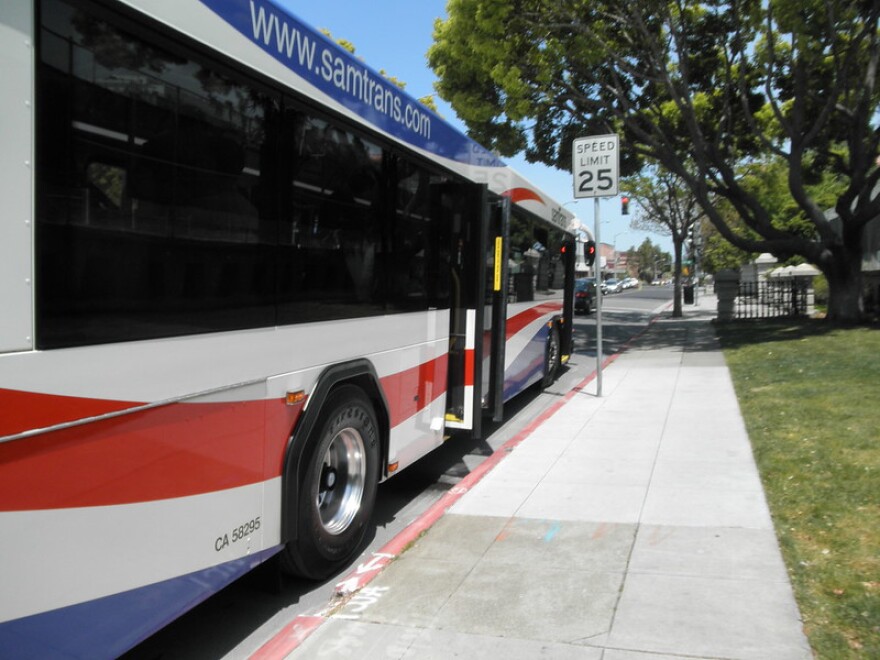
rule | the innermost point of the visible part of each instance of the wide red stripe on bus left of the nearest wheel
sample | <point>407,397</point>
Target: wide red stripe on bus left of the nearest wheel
<point>178,450</point>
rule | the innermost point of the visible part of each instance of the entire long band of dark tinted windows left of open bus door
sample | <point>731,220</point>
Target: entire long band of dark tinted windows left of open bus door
<point>176,196</point>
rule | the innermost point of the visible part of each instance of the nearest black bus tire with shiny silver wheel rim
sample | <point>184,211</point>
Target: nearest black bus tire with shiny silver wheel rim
<point>337,487</point>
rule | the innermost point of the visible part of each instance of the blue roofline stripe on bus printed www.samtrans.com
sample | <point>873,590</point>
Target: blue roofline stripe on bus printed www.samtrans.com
<point>333,70</point>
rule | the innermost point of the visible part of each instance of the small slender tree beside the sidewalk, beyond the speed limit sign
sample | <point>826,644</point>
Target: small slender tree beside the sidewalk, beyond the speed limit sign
<point>668,208</point>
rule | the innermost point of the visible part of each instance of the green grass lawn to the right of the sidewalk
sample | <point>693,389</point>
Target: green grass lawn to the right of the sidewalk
<point>810,396</point>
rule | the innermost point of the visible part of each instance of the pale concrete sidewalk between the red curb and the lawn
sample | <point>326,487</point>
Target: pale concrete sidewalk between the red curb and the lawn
<point>627,527</point>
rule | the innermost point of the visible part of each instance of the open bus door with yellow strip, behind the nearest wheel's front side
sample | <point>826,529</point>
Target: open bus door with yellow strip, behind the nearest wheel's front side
<point>478,304</point>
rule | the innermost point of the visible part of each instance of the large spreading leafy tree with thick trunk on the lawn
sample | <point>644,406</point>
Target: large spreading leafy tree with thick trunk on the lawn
<point>706,90</point>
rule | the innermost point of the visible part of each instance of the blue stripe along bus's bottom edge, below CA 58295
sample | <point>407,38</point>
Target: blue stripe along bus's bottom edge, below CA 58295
<point>107,627</point>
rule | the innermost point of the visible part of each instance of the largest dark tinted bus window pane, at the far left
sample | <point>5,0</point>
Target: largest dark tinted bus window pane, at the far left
<point>150,169</point>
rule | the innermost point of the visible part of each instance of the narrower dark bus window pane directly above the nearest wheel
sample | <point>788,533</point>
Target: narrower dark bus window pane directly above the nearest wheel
<point>330,259</point>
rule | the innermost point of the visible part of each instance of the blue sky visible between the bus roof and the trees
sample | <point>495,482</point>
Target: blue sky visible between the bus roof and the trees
<point>395,35</point>
